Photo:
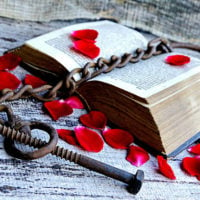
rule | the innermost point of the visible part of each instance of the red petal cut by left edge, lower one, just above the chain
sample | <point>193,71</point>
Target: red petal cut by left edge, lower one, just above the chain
<point>8,80</point>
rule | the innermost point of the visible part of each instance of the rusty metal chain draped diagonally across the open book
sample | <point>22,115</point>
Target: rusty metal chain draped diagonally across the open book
<point>49,92</point>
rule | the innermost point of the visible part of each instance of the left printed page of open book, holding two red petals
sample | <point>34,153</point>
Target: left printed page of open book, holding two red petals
<point>113,39</point>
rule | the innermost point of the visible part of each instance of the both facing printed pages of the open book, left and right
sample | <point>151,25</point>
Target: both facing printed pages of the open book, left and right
<point>143,79</point>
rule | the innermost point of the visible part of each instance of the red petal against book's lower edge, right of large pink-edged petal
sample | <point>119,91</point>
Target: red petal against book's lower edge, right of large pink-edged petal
<point>118,138</point>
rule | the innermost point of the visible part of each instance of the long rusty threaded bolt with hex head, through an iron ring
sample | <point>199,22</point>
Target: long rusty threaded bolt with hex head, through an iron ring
<point>134,181</point>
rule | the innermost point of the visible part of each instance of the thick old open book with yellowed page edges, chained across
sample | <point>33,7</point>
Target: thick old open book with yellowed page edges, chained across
<point>158,103</point>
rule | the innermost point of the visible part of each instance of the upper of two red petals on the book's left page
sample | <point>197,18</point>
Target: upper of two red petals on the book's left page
<point>85,34</point>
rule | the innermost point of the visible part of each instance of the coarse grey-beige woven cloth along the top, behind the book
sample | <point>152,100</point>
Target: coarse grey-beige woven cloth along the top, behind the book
<point>177,20</point>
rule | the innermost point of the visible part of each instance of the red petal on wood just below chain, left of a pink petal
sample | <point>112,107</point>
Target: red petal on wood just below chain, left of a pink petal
<point>58,108</point>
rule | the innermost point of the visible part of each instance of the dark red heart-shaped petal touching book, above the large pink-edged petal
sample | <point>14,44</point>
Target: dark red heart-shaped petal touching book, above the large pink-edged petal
<point>94,119</point>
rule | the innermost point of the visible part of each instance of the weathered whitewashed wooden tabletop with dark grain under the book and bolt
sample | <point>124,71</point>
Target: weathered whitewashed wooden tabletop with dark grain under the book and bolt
<point>53,178</point>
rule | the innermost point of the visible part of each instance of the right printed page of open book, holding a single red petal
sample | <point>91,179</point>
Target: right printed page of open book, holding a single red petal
<point>150,76</point>
